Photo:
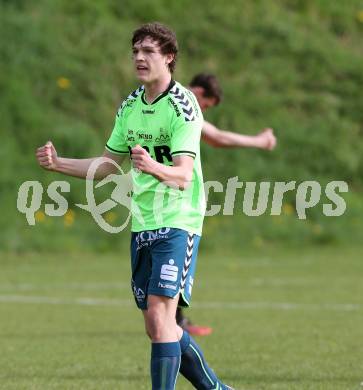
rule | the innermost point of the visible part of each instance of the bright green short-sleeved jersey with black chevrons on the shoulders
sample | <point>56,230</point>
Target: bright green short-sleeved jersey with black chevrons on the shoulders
<point>168,127</point>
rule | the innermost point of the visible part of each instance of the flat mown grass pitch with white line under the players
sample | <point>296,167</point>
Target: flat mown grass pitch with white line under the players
<point>282,319</point>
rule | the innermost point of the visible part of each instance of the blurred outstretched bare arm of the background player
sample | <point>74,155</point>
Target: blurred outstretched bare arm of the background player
<point>227,139</point>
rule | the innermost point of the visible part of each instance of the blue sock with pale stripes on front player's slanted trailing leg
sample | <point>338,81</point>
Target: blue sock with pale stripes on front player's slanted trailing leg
<point>194,367</point>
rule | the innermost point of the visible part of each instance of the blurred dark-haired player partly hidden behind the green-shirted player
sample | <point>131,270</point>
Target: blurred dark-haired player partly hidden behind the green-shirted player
<point>208,92</point>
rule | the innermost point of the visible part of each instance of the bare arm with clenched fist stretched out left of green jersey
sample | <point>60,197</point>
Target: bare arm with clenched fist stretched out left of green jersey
<point>48,159</point>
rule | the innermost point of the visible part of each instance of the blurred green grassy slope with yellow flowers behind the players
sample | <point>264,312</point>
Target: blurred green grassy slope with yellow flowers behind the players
<point>294,65</point>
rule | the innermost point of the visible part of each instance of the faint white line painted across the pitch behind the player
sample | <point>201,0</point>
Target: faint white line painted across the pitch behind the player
<point>343,307</point>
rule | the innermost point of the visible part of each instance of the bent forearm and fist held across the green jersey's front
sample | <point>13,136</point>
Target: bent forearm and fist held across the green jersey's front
<point>180,174</point>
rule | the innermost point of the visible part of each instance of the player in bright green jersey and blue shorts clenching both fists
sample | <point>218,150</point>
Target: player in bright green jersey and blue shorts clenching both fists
<point>159,127</point>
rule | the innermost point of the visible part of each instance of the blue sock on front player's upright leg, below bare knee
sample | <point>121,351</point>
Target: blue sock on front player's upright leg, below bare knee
<point>165,363</point>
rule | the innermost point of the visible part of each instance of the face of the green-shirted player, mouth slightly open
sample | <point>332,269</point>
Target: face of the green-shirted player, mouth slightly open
<point>150,64</point>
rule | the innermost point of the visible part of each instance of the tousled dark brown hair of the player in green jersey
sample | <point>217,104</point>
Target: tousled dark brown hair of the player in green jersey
<point>165,37</point>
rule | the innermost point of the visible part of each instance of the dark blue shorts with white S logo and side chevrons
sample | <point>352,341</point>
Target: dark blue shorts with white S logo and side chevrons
<point>163,262</point>
